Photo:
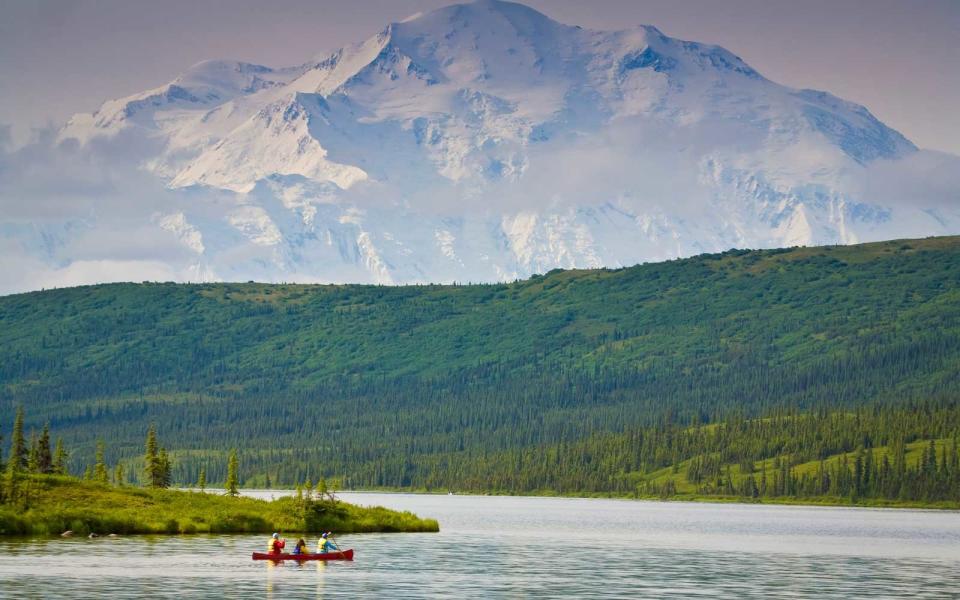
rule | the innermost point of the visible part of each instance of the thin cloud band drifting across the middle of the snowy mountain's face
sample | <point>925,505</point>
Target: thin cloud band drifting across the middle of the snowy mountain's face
<point>569,171</point>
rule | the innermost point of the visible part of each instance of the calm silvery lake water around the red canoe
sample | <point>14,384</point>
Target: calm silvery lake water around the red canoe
<point>532,548</point>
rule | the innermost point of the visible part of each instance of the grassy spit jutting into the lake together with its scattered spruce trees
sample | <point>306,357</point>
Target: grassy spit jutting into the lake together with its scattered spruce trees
<point>38,496</point>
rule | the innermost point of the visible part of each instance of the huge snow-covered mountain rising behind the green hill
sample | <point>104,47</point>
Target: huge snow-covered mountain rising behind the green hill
<point>485,141</point>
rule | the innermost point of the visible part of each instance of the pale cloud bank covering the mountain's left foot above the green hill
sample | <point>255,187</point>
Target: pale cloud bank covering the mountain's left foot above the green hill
<point>71,216</point>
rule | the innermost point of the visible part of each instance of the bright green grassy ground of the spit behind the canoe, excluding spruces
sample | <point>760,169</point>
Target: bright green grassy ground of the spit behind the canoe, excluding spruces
<point>58,504</point>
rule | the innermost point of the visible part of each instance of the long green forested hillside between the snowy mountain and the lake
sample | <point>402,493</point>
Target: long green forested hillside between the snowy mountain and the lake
<point>590,381</point>
